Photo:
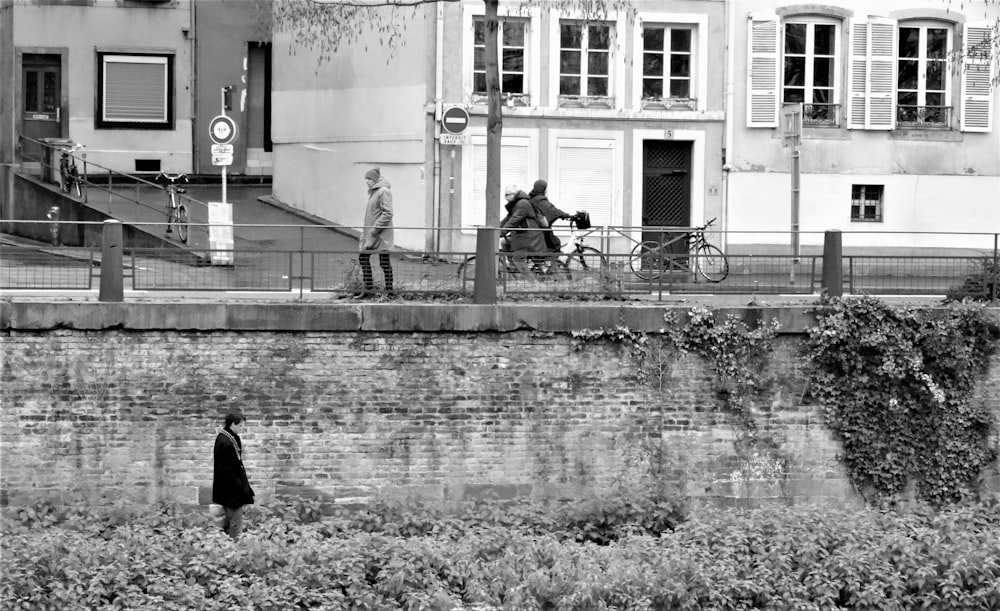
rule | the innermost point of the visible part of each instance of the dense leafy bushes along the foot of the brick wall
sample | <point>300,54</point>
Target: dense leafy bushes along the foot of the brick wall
<point>769,558</point>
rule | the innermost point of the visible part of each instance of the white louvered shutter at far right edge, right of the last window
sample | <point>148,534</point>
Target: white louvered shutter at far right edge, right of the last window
<point>977,66</point>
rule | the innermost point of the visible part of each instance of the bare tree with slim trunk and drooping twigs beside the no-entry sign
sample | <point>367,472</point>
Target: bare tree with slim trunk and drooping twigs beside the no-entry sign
<point>325,26</point>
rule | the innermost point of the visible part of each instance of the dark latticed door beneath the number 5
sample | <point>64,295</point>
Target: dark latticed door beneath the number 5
<point>666,192</point>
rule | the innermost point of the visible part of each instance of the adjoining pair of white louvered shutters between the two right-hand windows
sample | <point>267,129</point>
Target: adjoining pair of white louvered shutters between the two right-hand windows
<point>872,75</point>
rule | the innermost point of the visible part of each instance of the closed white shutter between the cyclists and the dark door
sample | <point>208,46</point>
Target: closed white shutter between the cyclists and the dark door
<point>586,178</point>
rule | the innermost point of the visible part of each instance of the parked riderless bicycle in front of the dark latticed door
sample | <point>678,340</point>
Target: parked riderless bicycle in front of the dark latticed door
<point>649,260</point>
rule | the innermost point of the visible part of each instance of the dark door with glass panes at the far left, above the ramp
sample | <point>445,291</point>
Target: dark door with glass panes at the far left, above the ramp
<point>41,114</point>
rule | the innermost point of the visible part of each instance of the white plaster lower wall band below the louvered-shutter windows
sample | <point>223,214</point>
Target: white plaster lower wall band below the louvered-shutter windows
<point>760,210</point>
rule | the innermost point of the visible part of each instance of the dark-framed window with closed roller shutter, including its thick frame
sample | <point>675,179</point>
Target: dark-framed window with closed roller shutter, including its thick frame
<point>135,91</point>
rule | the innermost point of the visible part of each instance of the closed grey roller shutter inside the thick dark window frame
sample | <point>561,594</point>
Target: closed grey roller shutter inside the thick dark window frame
<point>135,89</point>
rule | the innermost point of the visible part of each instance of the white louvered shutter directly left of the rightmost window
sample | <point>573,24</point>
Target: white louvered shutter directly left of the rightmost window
<point>881,102</point>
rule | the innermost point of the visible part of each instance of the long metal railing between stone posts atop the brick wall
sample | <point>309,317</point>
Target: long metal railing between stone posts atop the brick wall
<point>316,260</point>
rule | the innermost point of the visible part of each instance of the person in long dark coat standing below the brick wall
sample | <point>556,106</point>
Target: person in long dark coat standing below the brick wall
<point>230,486</point>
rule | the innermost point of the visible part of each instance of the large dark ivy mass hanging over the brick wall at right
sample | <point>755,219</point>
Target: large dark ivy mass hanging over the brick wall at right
<point>897,386</point>
